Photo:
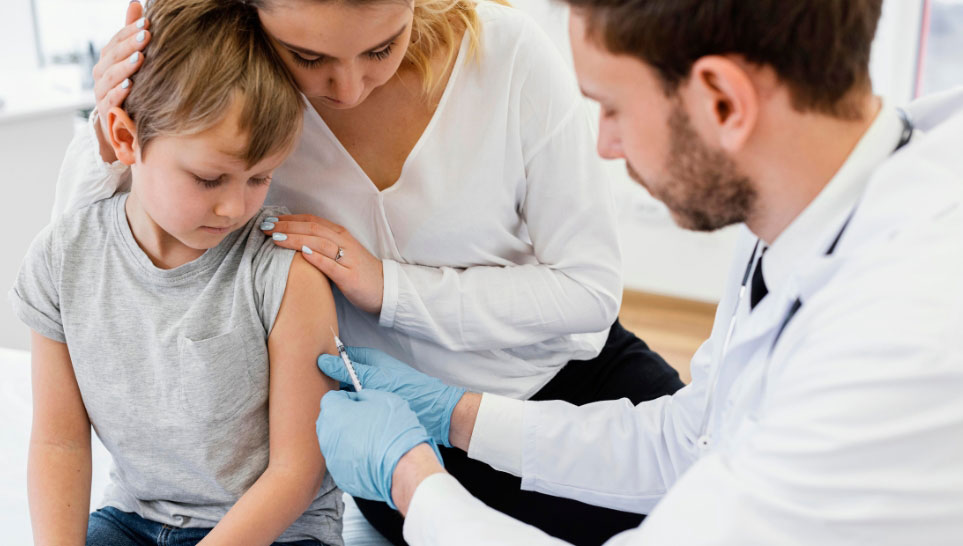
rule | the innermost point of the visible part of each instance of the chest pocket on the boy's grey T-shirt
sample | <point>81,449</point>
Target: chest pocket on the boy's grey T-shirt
<point>216,378</point>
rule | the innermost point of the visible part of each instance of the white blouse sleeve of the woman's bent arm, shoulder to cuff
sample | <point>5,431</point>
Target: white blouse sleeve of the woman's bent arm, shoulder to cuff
<point>575,284</point>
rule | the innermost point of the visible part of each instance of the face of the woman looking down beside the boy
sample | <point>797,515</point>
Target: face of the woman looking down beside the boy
<point>339,52</point>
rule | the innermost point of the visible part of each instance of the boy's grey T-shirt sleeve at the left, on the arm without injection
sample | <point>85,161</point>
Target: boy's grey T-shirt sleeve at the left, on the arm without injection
<point>35,295</point>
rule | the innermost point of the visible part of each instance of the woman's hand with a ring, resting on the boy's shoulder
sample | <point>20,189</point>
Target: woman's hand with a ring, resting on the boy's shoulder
<point>332,249</point>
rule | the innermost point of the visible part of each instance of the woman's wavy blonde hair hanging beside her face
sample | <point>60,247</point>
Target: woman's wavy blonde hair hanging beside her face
<point>436,27</point>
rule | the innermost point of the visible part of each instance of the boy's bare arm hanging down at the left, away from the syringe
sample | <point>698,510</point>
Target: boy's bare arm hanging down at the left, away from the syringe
<point>58,467</point>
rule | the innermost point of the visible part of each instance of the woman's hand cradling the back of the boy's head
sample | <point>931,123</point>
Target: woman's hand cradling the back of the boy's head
<point>119,59</point>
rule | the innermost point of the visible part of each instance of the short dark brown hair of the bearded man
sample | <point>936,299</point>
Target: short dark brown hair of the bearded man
<point>818,48</point>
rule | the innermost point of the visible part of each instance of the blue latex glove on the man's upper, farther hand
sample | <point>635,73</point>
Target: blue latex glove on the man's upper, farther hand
<point>432,400</point>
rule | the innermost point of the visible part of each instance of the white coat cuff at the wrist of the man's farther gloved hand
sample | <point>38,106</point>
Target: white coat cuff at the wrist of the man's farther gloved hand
<point>498,435</point>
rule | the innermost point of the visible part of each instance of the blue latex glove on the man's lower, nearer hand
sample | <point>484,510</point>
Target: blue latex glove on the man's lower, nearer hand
<point>363,435</point>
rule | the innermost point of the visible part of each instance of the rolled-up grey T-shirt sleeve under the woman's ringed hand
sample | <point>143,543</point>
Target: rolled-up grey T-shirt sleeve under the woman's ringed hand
<point>271,266</point>
